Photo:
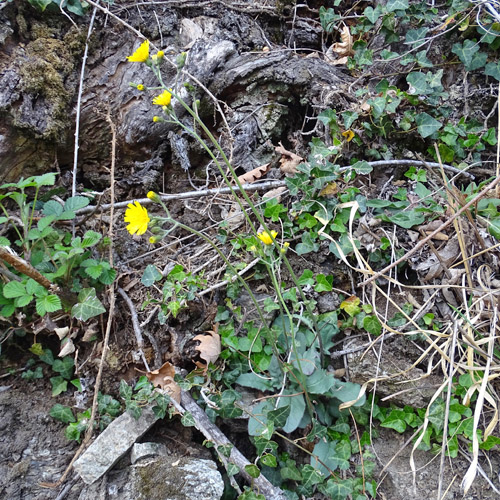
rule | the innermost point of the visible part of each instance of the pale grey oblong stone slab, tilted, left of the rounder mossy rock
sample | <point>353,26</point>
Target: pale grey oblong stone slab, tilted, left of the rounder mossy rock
<point>112,444</point>
